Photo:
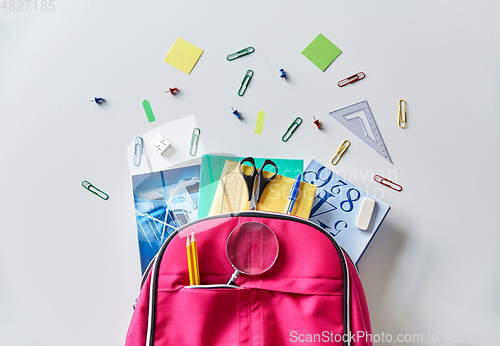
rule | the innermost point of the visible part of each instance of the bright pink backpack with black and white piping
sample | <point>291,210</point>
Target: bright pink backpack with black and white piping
<point>311,294</point>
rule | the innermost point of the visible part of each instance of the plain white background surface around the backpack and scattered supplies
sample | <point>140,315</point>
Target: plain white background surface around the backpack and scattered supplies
<point>69,265</point>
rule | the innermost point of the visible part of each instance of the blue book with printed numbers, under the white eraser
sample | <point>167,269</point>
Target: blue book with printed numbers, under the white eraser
<point>336,208</point>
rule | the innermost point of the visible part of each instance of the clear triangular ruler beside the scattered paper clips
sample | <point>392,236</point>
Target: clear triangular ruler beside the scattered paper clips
<point>358,118</point>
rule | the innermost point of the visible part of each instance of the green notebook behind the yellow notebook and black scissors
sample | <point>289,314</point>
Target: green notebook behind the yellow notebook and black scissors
<point>211,170</point>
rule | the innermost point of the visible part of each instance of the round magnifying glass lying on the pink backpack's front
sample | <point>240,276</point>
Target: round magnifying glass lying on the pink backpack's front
<point>252,249</point>
